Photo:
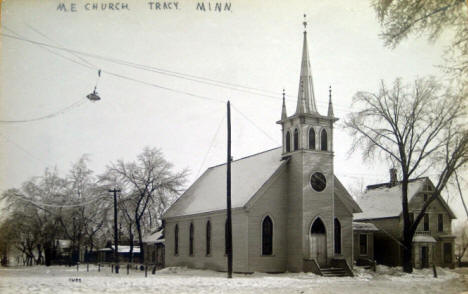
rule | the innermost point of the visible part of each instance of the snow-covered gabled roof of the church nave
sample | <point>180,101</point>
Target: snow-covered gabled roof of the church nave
<point>208,193</point>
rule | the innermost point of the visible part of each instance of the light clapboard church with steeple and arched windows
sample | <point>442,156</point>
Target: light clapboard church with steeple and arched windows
<point>290,212</point>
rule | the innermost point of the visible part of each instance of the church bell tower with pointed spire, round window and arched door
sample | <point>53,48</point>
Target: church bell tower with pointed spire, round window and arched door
<point>308,145</point>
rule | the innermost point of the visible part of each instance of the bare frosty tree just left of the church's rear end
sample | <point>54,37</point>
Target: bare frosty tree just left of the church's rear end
<point>150,183</point>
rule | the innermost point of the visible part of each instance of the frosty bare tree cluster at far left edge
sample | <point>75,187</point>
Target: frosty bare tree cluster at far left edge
<point>50,207</point>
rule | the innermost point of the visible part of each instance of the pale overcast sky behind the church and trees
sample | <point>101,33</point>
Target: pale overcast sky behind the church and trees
<point>256,44</point>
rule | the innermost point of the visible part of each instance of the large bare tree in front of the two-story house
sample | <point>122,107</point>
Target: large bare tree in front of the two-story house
<point>415,127</point>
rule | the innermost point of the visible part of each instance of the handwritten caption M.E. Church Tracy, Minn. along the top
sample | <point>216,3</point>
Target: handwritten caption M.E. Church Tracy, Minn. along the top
<point>151,5</point>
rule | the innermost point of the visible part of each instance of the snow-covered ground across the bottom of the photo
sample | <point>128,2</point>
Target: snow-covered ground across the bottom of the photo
<point>61,279</point>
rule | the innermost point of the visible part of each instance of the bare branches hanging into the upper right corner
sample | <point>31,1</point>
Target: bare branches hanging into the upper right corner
<point>401,18</point>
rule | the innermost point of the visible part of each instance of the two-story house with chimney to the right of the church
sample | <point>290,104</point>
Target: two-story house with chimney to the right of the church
<point>433,242</point>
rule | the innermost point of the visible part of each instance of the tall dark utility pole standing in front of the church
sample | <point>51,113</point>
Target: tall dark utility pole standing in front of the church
<point>228,186</point>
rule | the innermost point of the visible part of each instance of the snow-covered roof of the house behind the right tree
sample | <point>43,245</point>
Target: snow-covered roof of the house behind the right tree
<point>384,200</point>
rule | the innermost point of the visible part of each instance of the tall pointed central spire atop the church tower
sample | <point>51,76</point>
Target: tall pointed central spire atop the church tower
<point>306,97</point>
